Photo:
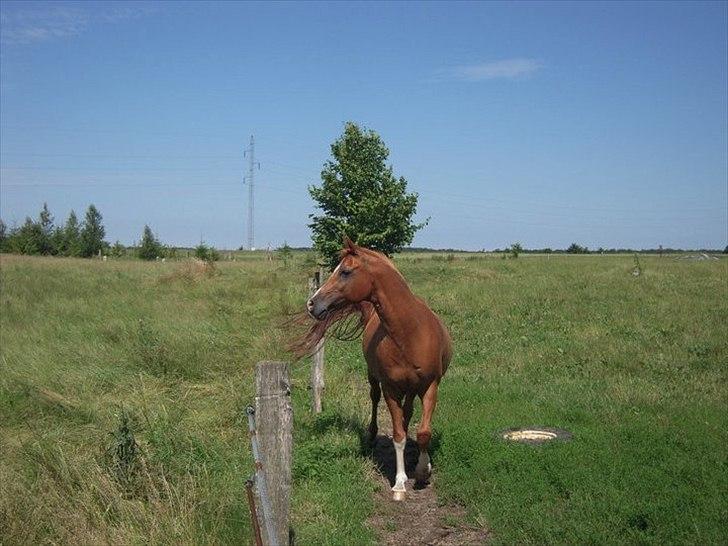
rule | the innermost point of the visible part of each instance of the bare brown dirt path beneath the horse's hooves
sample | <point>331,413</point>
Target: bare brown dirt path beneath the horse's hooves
<point>419,520</point>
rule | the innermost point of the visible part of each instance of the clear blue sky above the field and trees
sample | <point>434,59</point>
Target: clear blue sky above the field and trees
<point>544,123</point>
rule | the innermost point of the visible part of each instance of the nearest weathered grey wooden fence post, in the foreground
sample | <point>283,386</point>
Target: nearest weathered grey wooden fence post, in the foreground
<point>274,429</point>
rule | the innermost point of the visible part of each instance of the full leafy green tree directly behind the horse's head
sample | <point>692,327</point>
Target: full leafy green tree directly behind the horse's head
<point>360,197</point>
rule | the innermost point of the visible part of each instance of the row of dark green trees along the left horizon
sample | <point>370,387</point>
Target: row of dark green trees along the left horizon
<point>43,237</point>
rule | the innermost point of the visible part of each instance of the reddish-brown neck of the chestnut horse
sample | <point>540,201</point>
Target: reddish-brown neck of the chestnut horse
<point>393,301</point>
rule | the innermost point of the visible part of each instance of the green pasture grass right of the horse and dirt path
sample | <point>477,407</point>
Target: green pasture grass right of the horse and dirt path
<point>634,367</point>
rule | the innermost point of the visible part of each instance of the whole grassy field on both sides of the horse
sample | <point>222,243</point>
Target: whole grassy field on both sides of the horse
<point>94,353</point>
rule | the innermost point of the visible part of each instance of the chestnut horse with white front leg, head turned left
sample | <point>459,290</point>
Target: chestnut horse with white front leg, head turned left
<point>406,346</point>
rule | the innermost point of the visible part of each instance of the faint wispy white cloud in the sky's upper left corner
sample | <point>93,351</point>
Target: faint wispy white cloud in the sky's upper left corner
<point>25,27</point>
